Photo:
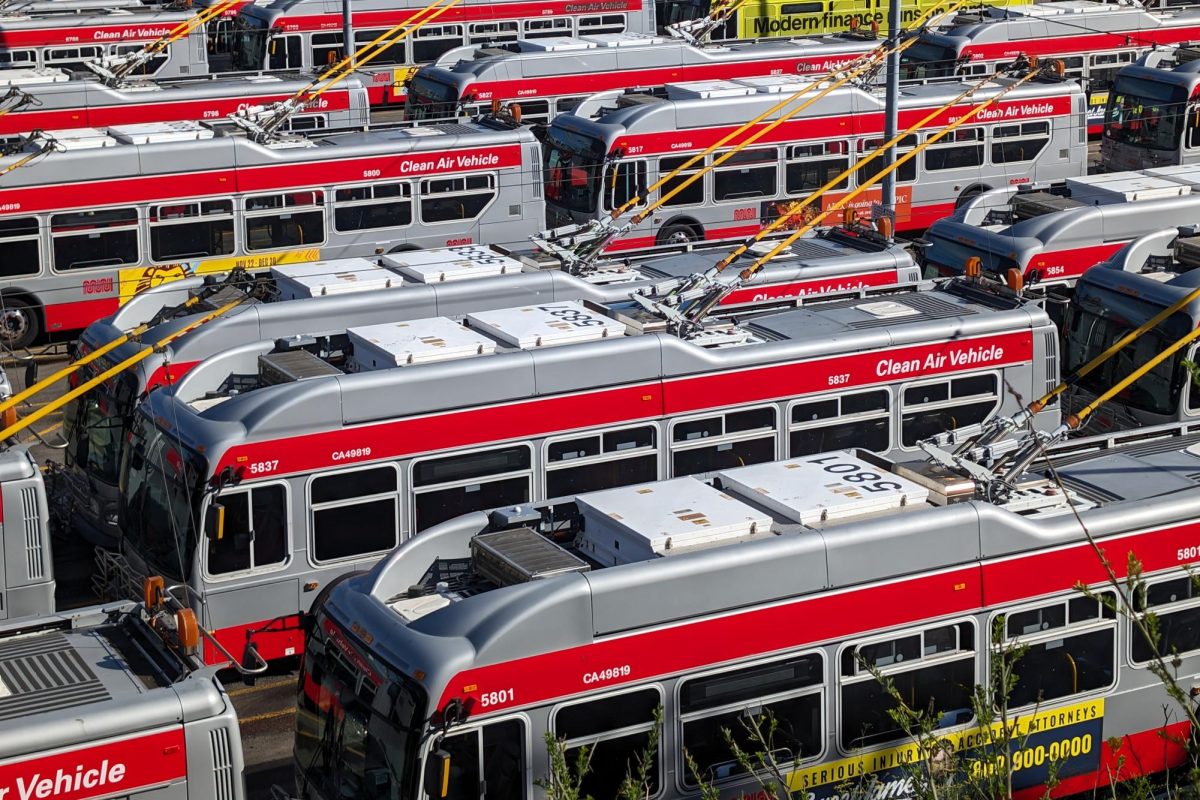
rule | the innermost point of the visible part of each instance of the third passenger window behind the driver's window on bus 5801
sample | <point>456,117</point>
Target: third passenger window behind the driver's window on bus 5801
<point>934,669</point>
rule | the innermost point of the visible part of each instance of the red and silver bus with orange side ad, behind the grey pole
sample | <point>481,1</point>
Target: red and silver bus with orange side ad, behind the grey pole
<point>599,157</point>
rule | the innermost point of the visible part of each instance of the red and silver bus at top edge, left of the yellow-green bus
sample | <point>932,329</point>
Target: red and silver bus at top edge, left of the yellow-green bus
<point>308,34</point>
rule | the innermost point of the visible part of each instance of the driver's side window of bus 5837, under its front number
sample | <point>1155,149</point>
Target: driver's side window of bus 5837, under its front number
<point>255,532</point>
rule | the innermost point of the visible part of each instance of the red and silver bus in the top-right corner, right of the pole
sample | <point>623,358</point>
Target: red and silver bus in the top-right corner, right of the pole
<point>1094,41</point>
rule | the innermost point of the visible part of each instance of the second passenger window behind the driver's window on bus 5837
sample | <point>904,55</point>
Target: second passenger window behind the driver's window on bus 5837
<point>452,486</point>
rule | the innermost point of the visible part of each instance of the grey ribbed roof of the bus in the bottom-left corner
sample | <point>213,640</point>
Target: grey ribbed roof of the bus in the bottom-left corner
<point>93,675</point>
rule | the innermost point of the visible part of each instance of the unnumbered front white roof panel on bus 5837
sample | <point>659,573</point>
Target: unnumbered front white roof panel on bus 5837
<point>419,341</point>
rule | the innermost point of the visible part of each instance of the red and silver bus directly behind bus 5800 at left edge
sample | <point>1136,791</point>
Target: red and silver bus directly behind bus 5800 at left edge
<point>62,106</point>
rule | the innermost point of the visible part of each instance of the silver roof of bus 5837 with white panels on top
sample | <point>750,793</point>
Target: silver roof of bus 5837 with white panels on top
<point>311,395</point>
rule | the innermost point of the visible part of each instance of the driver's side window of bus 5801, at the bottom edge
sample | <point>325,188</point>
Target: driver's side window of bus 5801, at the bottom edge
<point>490,759</point>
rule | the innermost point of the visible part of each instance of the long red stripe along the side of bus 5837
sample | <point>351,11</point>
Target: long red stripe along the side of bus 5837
<point>548,416</point>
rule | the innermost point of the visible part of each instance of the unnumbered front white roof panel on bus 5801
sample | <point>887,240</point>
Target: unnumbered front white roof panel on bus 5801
<point>635,524</point>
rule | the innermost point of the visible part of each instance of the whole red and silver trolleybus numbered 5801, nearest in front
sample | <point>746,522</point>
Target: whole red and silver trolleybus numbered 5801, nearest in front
<point>785,593</point>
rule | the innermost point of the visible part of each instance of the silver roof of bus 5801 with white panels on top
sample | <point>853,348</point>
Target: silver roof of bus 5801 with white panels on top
<point>773,533</point>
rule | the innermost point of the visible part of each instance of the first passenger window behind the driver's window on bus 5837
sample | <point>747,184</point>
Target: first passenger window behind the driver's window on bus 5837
<point>355,514</point>
